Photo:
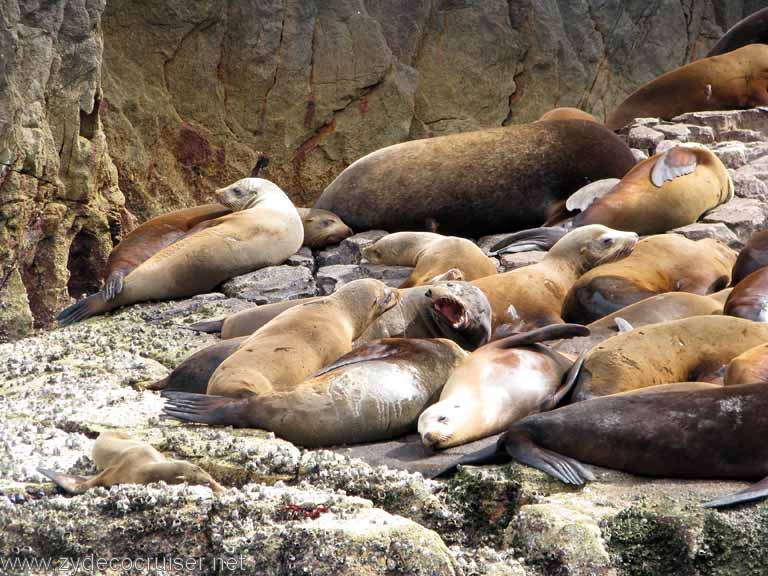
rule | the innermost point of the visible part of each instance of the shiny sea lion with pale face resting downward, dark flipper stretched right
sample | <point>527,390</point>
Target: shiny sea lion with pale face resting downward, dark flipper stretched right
<point>498,384</point>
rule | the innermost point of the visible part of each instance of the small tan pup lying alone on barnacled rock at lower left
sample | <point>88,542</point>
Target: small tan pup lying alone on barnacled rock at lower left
<point>126,461</point>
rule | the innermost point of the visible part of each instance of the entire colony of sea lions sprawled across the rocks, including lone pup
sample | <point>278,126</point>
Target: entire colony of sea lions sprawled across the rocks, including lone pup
<point>461,352</point>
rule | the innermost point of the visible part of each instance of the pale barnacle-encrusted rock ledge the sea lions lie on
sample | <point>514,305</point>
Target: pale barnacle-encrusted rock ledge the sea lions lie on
<point>290,511</point>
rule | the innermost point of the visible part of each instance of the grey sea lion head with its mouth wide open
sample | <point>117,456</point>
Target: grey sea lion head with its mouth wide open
<point>462,313</point>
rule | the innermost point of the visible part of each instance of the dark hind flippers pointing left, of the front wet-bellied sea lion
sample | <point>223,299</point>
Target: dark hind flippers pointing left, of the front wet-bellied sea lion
<point>205,409</point>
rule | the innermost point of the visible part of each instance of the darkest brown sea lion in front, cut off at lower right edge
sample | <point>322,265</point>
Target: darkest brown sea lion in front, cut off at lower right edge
<point>658,432</point>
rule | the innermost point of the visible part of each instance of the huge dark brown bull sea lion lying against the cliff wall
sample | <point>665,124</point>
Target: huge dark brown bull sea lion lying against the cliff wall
<point>476,183</point>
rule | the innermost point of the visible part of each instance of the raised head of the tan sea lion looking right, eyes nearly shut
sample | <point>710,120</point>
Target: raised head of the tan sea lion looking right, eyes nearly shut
<point>594,245</point>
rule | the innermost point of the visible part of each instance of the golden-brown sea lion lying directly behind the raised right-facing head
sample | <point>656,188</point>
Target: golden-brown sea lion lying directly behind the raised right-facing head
<point>658,264</point>
